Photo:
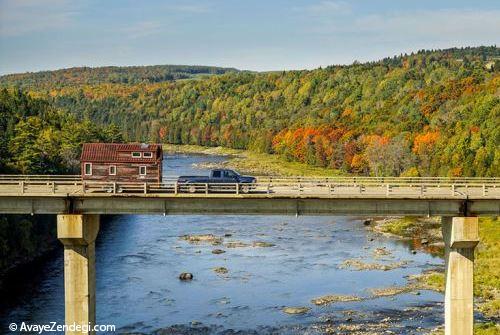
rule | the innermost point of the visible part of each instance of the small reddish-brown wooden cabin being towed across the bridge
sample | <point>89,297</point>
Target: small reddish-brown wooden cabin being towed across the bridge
<point>122,162</point>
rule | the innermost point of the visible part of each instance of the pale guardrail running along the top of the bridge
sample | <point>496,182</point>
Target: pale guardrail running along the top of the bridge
<point>324,187</point>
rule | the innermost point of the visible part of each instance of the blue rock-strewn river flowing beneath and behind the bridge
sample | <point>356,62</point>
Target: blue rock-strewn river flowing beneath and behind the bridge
<point>139,259</point>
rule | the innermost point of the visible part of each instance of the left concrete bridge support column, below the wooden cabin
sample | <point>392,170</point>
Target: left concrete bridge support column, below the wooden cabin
<point>78,234</point>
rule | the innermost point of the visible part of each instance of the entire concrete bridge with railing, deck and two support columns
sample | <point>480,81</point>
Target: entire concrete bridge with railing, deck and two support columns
<point>459,201</point>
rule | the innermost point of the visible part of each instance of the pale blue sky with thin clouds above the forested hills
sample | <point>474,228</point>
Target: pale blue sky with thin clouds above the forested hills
<point>258,35</point>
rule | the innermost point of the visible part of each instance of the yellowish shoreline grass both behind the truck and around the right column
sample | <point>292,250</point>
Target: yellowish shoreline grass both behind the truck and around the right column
<point>423,234</point>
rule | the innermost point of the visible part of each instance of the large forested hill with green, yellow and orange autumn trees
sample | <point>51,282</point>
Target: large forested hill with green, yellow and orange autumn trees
<point>429,113</point>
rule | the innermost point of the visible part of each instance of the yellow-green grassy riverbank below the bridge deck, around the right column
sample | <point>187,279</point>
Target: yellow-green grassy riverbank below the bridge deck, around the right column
<point>424,234</point>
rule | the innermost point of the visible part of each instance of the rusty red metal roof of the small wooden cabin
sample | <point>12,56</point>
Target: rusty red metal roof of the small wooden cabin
<point>109,152</point>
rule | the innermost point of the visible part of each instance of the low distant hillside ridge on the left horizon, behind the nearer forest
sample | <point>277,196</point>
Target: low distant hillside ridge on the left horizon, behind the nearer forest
<point>109,74</point>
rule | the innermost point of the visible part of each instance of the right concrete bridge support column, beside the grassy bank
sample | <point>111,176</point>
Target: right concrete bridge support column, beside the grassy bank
<point>461,235</point>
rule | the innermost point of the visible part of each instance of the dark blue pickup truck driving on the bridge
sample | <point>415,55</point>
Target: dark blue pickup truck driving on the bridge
<point>219,177</point>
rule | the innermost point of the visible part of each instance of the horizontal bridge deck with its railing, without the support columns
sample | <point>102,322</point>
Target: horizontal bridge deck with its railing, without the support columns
<point>270,195</point>
